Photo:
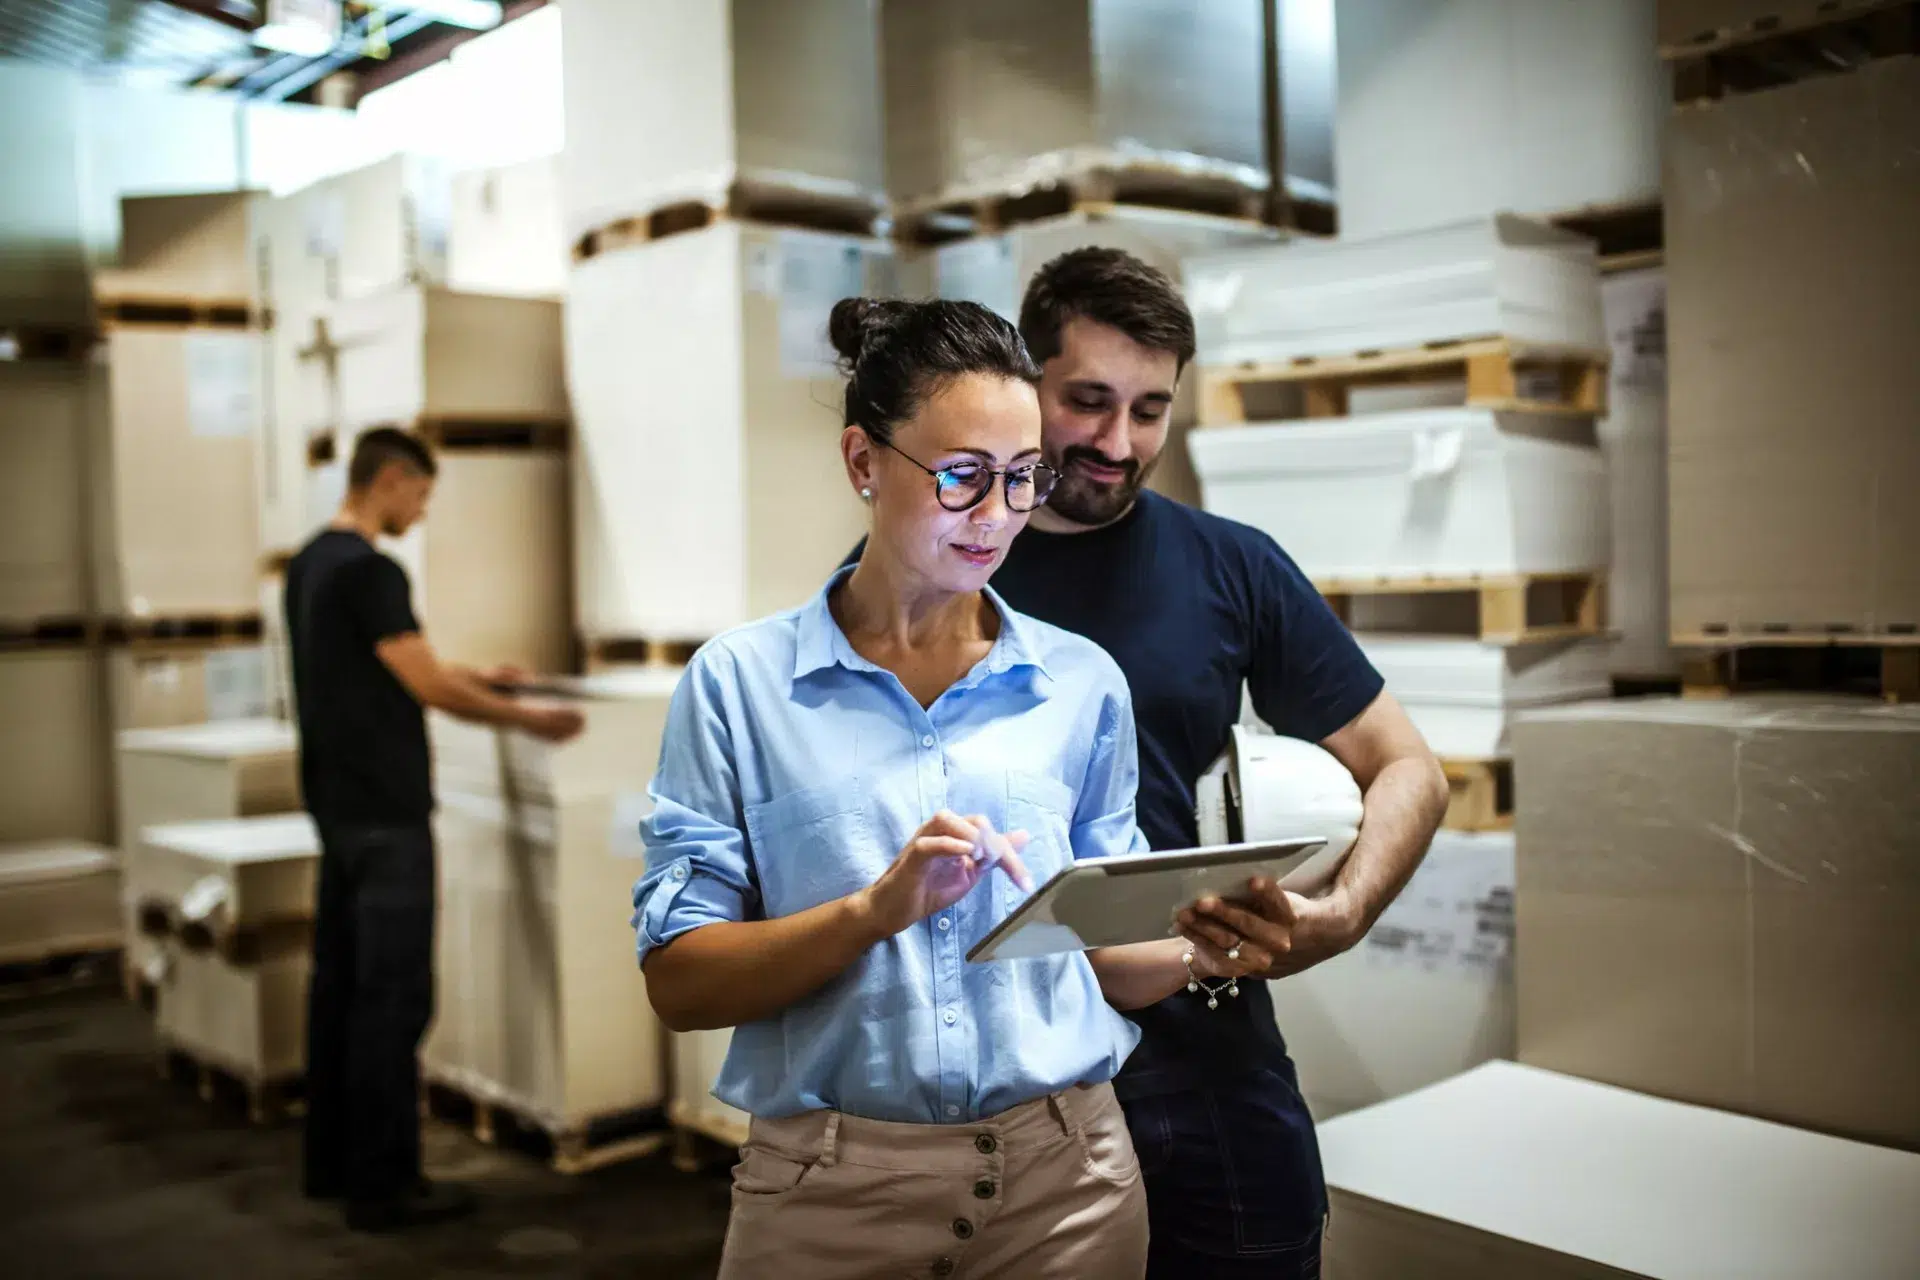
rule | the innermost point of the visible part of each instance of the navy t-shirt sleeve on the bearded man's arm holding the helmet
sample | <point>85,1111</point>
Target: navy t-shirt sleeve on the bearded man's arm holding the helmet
<point>1308,676</point>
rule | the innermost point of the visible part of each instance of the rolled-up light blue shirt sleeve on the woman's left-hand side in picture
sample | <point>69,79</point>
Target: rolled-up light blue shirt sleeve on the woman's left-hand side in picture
<point>698,868</point>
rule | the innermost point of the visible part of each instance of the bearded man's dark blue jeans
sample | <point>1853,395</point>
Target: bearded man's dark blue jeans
<point>1234,1181</point>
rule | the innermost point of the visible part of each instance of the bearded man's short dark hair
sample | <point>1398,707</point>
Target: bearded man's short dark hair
<point>1107,287</point>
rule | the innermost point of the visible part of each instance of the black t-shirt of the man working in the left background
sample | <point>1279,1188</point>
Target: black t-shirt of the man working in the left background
<point>362,736</point>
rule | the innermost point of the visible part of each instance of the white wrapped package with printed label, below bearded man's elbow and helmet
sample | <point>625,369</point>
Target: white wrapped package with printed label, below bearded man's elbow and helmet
<point>1428,993</point>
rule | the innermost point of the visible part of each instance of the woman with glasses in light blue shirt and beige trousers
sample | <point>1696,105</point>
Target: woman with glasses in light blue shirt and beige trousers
<point>850,795</point>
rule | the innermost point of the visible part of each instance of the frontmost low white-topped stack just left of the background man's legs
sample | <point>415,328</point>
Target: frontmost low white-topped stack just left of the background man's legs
<point>235,960</point>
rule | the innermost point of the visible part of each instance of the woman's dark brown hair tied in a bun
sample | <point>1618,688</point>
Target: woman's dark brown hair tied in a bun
<point>898,354</point>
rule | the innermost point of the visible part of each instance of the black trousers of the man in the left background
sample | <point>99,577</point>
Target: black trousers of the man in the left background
<point>370,1003</point>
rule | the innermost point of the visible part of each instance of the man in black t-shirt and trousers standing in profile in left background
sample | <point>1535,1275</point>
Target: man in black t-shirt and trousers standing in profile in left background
<point>362,678</point>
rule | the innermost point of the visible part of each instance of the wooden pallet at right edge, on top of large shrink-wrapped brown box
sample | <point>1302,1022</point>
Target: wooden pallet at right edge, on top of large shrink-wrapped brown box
<point>1886,667</point>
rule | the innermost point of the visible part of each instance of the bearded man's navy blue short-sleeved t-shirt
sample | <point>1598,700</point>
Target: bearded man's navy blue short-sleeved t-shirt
<point>1193,607</point>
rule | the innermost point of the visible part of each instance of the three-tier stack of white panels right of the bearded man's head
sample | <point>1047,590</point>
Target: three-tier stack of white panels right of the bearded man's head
<point>1380,508</point>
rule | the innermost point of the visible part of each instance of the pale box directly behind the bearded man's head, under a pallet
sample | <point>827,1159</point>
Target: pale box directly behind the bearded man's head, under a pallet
<point>997,270</point>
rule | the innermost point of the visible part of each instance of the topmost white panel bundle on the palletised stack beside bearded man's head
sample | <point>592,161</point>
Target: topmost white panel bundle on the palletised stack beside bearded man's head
<point>1485,277</point>
